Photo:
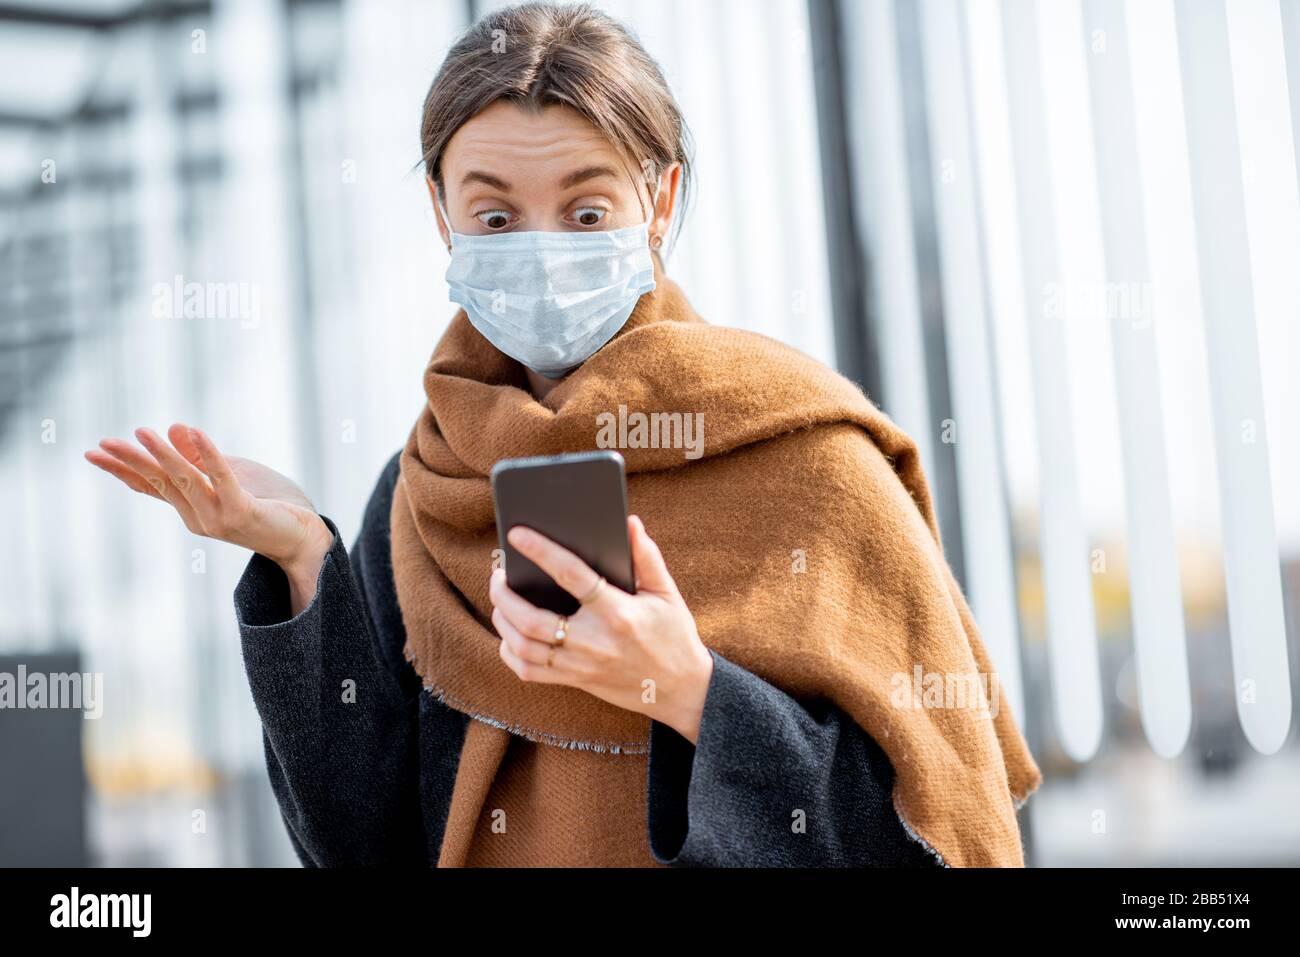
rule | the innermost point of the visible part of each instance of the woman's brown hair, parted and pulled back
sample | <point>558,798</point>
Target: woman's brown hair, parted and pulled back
<point>541,54</point>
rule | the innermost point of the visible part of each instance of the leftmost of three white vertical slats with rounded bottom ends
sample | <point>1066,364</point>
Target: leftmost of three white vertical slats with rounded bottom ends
<point>1064,544</point>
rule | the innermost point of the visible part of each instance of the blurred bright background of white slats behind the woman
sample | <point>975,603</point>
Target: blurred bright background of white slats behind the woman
<point>1056,241</point>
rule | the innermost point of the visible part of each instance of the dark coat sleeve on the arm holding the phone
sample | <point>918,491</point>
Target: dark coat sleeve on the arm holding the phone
<point>774,783</point>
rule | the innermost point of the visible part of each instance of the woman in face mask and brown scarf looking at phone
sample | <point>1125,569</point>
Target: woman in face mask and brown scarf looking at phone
<point>752,704</point>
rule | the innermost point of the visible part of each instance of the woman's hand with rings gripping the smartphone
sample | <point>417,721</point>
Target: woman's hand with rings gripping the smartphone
<point>640,652</point>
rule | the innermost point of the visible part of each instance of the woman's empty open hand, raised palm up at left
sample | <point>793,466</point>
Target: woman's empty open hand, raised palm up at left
<point>228,499</point>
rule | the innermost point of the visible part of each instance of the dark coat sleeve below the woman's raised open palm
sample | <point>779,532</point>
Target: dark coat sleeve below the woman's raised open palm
<point>340,714</point>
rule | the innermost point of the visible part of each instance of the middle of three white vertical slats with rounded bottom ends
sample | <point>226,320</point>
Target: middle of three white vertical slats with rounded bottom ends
<point>1156,595</point>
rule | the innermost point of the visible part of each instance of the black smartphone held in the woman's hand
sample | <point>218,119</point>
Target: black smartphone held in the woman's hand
<point>580,501</point>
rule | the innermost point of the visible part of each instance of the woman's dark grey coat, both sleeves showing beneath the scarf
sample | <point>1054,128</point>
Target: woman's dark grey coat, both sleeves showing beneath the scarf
<point>369,781</point>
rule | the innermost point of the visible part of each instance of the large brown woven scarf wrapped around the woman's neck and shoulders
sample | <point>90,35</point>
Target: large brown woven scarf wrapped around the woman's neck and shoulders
<point>803,540</point>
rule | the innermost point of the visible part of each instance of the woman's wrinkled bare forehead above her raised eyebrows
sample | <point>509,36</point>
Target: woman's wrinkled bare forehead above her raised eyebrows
<point>538,149</point>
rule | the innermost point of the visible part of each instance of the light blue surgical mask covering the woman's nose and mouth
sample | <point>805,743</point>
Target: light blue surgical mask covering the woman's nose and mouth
<point>551,300</point>
